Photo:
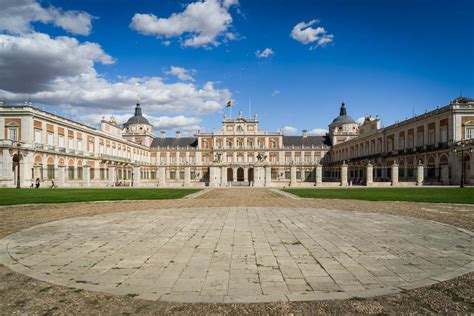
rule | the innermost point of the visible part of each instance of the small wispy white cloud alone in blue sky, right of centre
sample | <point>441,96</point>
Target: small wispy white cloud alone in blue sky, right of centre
<point>304,33</point>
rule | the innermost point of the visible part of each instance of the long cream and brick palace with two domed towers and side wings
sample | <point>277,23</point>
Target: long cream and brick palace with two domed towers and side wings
<point>430,149</point>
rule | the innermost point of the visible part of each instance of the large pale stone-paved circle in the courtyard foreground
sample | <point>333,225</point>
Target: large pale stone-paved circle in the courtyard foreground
<point>241,254</point>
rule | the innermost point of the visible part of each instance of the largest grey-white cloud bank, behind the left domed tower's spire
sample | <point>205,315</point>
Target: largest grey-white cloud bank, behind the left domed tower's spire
<point>60,71</point>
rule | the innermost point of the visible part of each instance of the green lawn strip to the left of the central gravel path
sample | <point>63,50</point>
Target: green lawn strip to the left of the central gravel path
<point>26,196</point>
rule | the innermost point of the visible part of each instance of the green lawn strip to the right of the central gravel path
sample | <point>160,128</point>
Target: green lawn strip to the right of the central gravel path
<point>434,195</point>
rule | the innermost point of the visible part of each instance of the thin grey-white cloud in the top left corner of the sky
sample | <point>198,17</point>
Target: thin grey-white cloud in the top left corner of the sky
<point>16,17</point>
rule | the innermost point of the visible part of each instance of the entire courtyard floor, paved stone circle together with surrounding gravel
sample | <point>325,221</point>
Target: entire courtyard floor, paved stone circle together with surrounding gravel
<point>262,250</point>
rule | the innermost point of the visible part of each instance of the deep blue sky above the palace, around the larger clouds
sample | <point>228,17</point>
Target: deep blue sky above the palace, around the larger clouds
<point>386,58</point>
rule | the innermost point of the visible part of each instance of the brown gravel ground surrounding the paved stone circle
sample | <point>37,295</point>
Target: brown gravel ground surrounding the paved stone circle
<point>20,294</point>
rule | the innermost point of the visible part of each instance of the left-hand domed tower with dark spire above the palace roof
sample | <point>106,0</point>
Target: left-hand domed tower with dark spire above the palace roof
<point>138,129</point>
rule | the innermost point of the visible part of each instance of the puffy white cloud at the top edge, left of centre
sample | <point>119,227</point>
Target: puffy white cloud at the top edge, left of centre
<point>202,23</point>
